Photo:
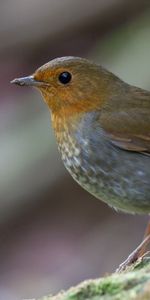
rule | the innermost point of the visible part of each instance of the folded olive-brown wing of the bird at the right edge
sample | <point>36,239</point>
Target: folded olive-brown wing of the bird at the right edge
<point>128,126</point>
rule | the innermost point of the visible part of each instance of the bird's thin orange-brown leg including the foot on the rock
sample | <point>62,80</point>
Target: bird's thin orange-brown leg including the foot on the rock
<point>139,252</point>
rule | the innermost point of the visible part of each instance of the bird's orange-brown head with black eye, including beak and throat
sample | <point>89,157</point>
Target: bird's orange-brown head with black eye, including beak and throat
<point>71,85</point>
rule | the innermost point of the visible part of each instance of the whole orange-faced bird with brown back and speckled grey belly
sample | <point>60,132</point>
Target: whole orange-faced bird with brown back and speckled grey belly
<point>102,128</point>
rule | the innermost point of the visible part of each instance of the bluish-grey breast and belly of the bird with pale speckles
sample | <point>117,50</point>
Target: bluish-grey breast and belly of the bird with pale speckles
<point>118,177</point>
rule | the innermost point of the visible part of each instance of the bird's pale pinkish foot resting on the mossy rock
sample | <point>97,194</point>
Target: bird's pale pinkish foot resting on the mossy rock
<point>135,255</point>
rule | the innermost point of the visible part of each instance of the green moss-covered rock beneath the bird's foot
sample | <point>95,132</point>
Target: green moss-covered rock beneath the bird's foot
<point>134,283</point>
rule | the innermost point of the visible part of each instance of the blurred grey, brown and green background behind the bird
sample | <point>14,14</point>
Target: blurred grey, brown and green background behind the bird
<point>53,234</point>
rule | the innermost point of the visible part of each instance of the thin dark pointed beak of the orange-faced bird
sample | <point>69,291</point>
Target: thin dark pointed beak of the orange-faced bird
<point>28,81</point>
